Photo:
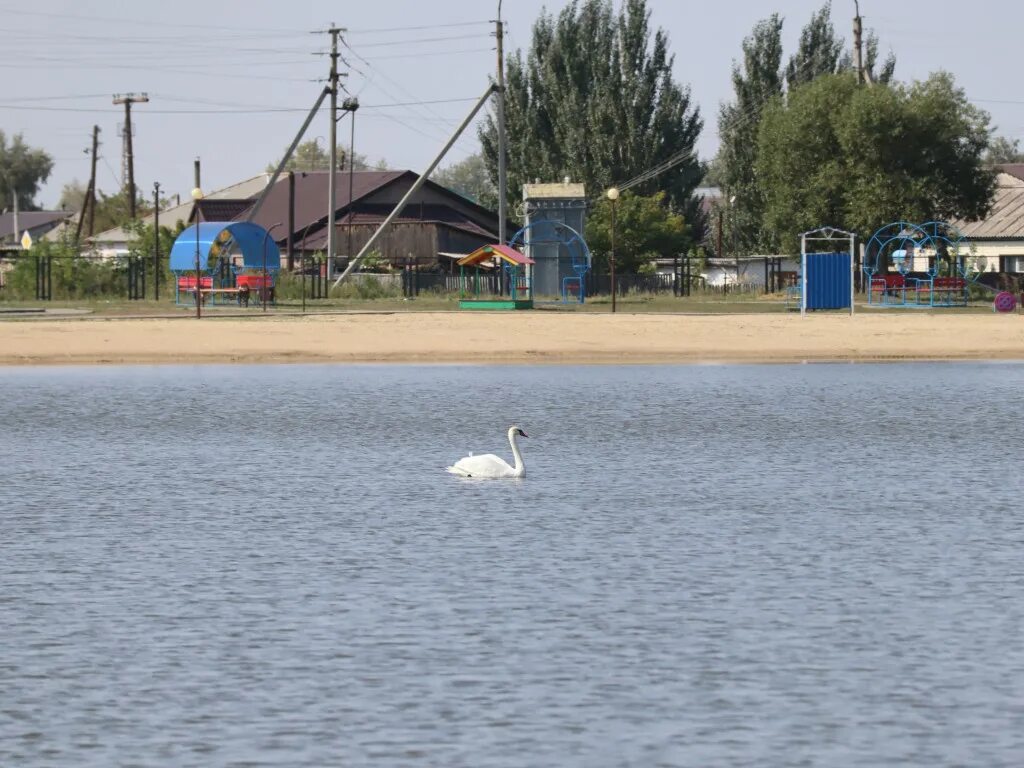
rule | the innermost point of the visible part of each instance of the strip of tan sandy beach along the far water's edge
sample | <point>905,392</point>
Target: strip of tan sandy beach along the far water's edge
<point>515,338</point>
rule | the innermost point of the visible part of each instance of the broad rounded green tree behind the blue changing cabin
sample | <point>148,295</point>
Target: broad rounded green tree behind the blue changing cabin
<point>841,155</point>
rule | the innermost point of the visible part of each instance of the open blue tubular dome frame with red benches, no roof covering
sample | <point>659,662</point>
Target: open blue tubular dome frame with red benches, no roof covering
<point>910,266</point>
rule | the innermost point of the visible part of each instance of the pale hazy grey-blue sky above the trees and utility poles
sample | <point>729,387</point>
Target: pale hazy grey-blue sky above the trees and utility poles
<point>232,81</point>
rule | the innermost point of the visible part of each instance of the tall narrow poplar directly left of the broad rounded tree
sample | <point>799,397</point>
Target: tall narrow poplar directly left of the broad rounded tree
<point>757,83</point>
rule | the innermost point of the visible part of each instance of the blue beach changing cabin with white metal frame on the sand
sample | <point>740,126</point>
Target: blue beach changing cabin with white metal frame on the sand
<point>826,278</point>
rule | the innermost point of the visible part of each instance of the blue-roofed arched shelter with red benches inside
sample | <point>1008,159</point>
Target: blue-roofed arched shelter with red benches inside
<point>237,262</point>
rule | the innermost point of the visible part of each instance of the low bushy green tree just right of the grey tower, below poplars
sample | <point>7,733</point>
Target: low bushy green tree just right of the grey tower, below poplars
<point>646,230</point>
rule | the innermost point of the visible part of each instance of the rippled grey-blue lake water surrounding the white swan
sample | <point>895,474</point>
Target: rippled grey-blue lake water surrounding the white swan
<point>735,566</point>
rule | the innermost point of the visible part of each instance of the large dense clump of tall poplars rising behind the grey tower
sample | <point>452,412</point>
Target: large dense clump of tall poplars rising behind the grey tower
<point>595,100</point>
